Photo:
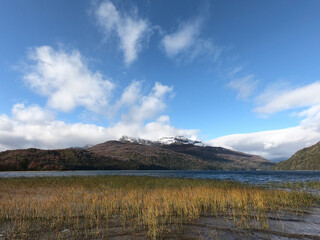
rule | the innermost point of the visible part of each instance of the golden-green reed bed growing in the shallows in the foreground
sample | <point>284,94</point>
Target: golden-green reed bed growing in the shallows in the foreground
<point>89,207</point>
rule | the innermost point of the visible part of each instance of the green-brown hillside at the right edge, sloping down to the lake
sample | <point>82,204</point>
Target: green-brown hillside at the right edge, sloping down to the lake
<point>304,159</point>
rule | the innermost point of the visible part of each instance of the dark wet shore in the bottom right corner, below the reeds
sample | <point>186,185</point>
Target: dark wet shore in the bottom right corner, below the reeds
<point>282,226</point>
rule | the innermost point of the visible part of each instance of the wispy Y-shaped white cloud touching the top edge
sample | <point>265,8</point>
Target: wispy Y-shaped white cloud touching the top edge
<point>130,29</point>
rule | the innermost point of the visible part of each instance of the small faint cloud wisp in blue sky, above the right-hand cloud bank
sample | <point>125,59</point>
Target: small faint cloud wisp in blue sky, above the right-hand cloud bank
<point>245,86</point>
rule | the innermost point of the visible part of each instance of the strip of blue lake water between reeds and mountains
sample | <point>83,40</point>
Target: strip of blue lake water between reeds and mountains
<point>255,177</point>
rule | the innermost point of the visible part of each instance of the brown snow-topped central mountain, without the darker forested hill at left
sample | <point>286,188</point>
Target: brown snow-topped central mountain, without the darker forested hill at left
<point>179,153</point>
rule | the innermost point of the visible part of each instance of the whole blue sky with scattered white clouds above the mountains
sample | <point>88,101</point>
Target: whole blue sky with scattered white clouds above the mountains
<point>243,75</point>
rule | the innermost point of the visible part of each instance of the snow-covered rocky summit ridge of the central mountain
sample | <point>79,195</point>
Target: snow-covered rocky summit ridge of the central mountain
<point>162,141</point>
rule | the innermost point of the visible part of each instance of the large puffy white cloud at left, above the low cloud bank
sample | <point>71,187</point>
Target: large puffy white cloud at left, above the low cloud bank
<point>66,80</point>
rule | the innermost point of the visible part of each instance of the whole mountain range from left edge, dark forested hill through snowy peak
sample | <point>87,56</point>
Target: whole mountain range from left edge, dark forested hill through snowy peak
<point>176,153</point>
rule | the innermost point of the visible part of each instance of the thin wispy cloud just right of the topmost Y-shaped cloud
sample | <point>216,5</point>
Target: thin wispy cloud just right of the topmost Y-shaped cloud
<point>186,44</point>
